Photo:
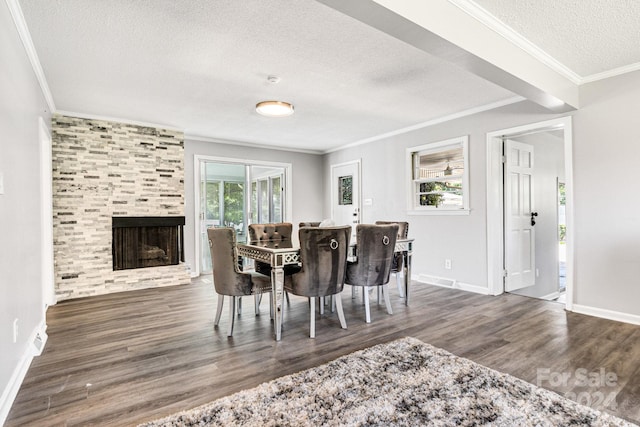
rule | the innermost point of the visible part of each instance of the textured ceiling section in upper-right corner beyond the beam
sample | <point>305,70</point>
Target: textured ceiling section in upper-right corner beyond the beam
<point>587,36</point>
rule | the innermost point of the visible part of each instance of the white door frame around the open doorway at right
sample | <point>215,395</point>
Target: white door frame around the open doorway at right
<point>495,200</point>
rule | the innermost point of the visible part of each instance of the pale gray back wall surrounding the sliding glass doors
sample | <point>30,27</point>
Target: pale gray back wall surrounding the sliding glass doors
<point>307,176</point>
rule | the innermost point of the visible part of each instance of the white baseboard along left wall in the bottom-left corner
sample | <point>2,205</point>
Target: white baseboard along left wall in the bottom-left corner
<point>37,341</point>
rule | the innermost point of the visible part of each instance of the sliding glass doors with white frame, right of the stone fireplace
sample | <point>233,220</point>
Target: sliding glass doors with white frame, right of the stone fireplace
<point>235,193</point>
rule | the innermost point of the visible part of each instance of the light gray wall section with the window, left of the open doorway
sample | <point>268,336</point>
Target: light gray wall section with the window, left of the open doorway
<point>460,238</point>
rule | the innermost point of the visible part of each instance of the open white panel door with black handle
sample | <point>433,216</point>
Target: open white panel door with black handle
<point>519,216</point>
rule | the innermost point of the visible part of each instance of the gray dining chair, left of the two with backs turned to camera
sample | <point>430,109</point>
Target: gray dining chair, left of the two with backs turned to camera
<point>323,254</point>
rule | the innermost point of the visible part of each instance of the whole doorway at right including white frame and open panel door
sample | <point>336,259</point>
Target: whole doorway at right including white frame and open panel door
<point>543,221</point>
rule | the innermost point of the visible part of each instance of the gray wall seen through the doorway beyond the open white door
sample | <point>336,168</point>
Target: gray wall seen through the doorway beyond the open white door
<point>548,167</point>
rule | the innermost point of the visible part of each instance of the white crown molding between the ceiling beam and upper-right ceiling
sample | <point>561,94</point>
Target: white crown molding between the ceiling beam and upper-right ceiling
<point>493,23</point>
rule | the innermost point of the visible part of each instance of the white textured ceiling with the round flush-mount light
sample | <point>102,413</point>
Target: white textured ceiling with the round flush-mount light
<point>202,65</point>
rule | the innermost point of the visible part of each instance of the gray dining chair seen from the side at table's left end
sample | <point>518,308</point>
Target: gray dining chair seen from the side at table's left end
<point>228,280</point>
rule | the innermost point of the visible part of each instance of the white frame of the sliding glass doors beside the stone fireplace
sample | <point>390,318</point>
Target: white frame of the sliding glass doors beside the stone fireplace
<point>197,158</point>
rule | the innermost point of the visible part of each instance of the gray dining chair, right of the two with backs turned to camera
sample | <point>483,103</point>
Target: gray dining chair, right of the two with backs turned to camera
<point>374,259</point>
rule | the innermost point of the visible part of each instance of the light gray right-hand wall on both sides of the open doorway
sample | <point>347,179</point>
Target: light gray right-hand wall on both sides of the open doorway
<point>606,160</point>
